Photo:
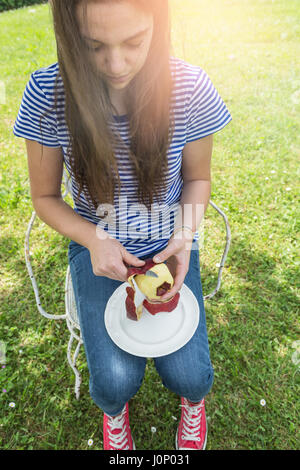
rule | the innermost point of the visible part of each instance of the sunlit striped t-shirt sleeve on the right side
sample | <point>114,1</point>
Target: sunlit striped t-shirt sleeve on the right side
<point>206,113</point>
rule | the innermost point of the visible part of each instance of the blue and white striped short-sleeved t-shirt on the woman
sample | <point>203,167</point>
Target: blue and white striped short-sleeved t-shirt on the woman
<point>198,112</point>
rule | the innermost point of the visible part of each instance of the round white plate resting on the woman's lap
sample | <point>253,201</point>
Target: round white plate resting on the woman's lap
<point>151,336</point>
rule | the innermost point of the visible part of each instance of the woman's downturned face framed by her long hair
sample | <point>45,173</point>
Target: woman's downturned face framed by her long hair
<point>118,38</point>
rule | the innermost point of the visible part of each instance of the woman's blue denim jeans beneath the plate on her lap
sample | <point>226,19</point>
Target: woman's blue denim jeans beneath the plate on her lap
<point>115,375</point>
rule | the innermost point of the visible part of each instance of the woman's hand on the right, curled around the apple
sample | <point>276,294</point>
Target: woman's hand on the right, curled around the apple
<point>176,255</point>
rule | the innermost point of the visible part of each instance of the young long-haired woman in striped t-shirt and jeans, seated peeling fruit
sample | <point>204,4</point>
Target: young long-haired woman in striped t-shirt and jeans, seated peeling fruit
<point>129,121</point>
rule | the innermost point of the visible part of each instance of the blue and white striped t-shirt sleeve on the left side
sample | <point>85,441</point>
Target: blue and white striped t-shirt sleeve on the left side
<point>31,123</point>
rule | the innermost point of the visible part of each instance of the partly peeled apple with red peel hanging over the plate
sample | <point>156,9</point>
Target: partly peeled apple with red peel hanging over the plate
<point>152,288</point>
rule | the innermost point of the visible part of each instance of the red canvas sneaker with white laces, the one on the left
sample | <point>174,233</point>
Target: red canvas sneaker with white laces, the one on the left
<point>116,431</point>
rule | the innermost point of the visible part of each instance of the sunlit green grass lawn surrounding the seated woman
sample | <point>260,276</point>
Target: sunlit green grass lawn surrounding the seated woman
<point>250,49</point>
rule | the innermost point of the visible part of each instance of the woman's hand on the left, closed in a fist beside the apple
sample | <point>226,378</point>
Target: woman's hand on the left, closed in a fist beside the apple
<point>111,259</point>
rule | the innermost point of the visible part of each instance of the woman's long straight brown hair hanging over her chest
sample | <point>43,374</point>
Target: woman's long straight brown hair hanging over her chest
<point>88,109</point>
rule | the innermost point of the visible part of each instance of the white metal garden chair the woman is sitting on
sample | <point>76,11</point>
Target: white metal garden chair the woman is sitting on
<point>70,315</point>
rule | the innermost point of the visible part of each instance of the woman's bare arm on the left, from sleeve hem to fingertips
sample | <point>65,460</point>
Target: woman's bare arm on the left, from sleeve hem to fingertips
<point>108,256</point>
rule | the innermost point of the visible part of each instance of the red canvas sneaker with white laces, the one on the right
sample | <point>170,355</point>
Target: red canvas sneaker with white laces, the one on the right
<point>192,429</point>
